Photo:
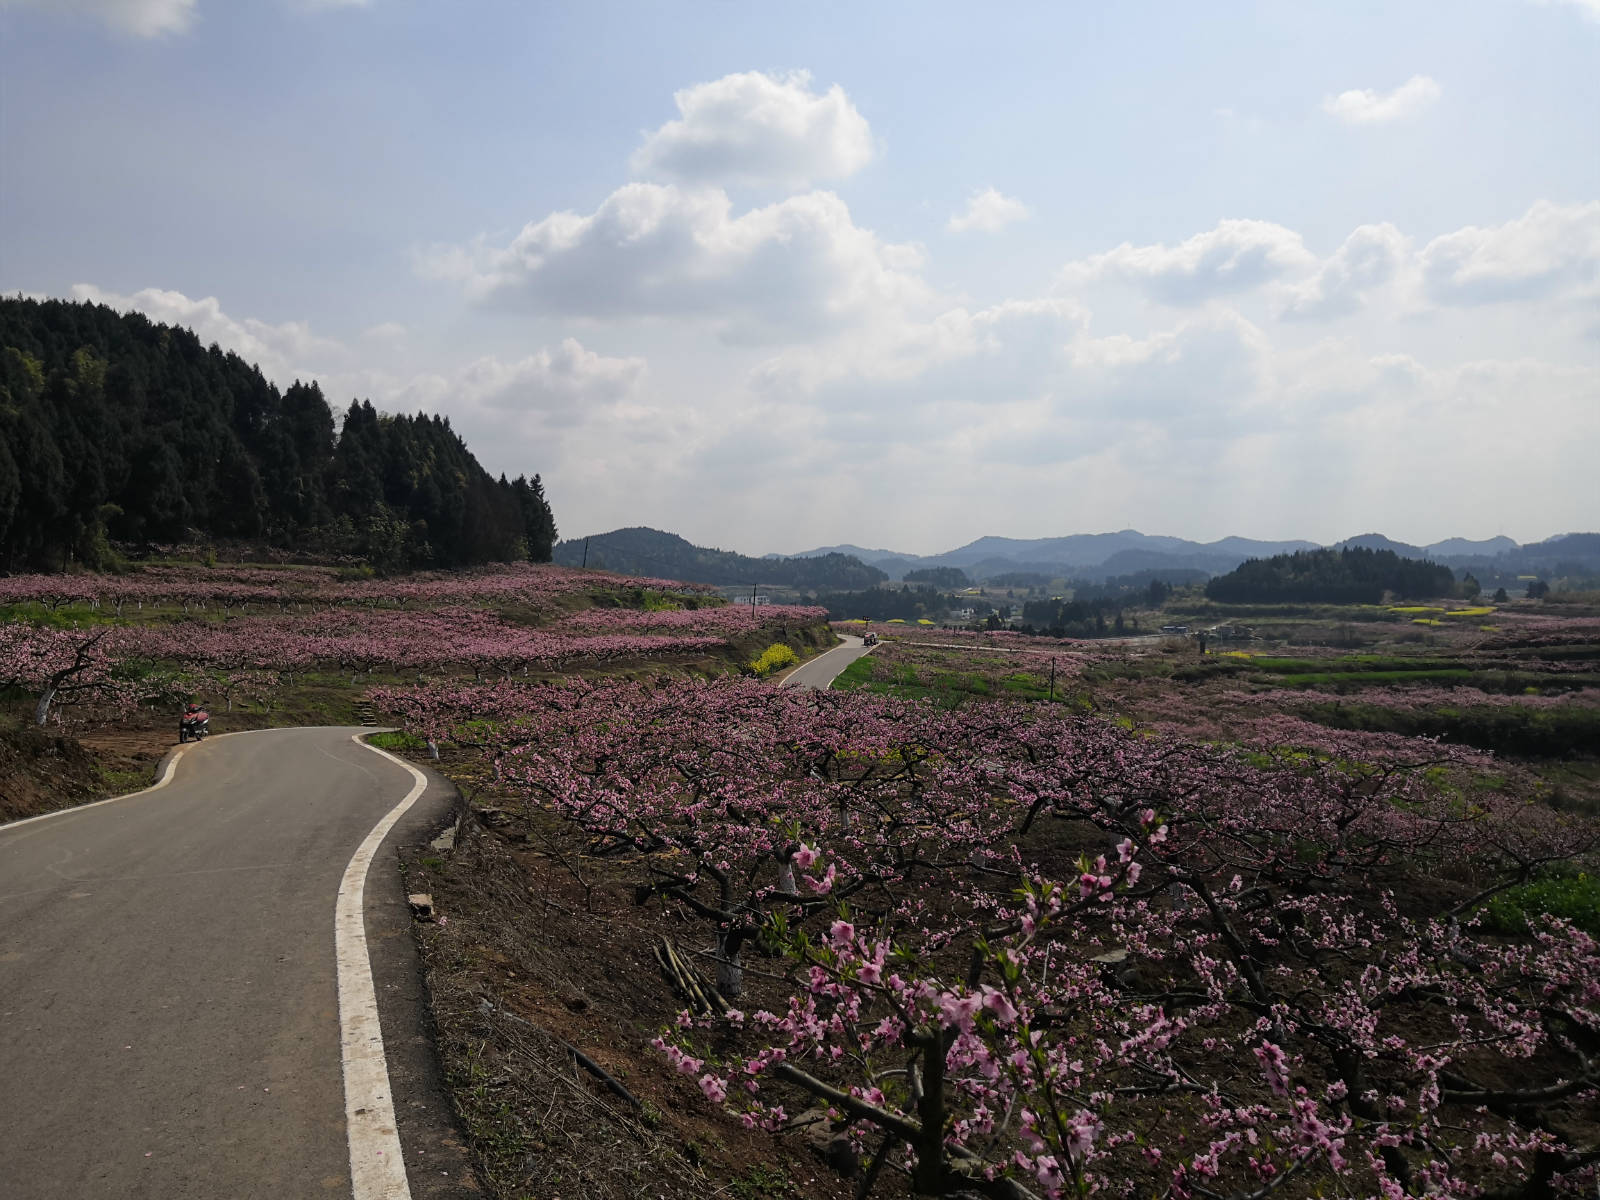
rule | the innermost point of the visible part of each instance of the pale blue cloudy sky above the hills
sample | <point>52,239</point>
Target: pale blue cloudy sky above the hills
<point>895,274</point>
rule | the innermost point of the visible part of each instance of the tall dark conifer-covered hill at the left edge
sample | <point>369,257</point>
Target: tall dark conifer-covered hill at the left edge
<point>118,430</point>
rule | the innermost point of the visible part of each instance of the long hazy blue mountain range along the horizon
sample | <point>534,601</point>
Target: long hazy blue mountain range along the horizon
<point>1081,556</point>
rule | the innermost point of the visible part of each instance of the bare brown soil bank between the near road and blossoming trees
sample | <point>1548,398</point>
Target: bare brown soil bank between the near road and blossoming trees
<point>535,951</point>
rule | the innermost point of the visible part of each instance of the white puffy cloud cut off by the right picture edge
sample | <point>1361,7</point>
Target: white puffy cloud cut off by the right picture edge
<point>1551,252</point>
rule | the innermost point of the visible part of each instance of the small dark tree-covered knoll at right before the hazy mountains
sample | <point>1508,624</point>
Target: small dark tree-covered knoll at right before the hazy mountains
<point>1350,577</point>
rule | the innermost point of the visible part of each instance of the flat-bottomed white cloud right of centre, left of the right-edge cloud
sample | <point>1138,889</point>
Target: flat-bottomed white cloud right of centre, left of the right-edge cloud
<point>1234,257</point>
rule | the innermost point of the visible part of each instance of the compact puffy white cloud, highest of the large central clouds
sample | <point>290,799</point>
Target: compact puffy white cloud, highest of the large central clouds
<point>762,130</point>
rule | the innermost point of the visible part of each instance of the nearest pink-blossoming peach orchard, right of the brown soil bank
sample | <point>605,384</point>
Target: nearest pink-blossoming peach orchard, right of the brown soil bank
<point>1020,953</point>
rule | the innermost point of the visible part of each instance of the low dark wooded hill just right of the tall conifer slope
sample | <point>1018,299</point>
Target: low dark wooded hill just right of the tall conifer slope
<point>644,551</point>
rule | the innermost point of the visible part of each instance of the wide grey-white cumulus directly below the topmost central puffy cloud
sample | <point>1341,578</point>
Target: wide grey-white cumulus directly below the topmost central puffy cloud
<point>790,271</point>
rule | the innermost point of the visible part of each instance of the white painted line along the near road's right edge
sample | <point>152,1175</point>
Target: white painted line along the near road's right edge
<point>377,1162</point>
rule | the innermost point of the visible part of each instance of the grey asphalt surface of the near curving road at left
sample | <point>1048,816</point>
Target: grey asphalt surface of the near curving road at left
<point>169,1001</point>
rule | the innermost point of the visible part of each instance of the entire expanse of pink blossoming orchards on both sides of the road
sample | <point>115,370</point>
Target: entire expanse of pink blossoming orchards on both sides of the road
<point>1012,918</point>
